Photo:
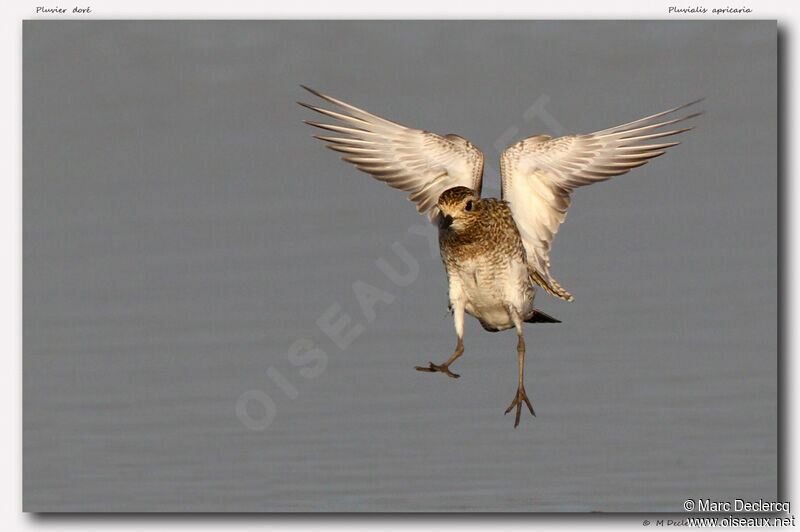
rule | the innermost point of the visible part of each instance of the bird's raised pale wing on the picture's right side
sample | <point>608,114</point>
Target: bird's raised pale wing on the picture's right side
<point>539,174</point>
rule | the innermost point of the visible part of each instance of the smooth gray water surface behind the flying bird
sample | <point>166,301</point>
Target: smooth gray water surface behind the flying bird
<point>182,230</point>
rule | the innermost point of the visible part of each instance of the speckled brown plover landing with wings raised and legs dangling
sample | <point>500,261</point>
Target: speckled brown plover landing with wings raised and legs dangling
<point>495,251</point>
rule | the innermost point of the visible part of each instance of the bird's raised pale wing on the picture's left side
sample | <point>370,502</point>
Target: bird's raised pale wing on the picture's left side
<point>422,163</point>
